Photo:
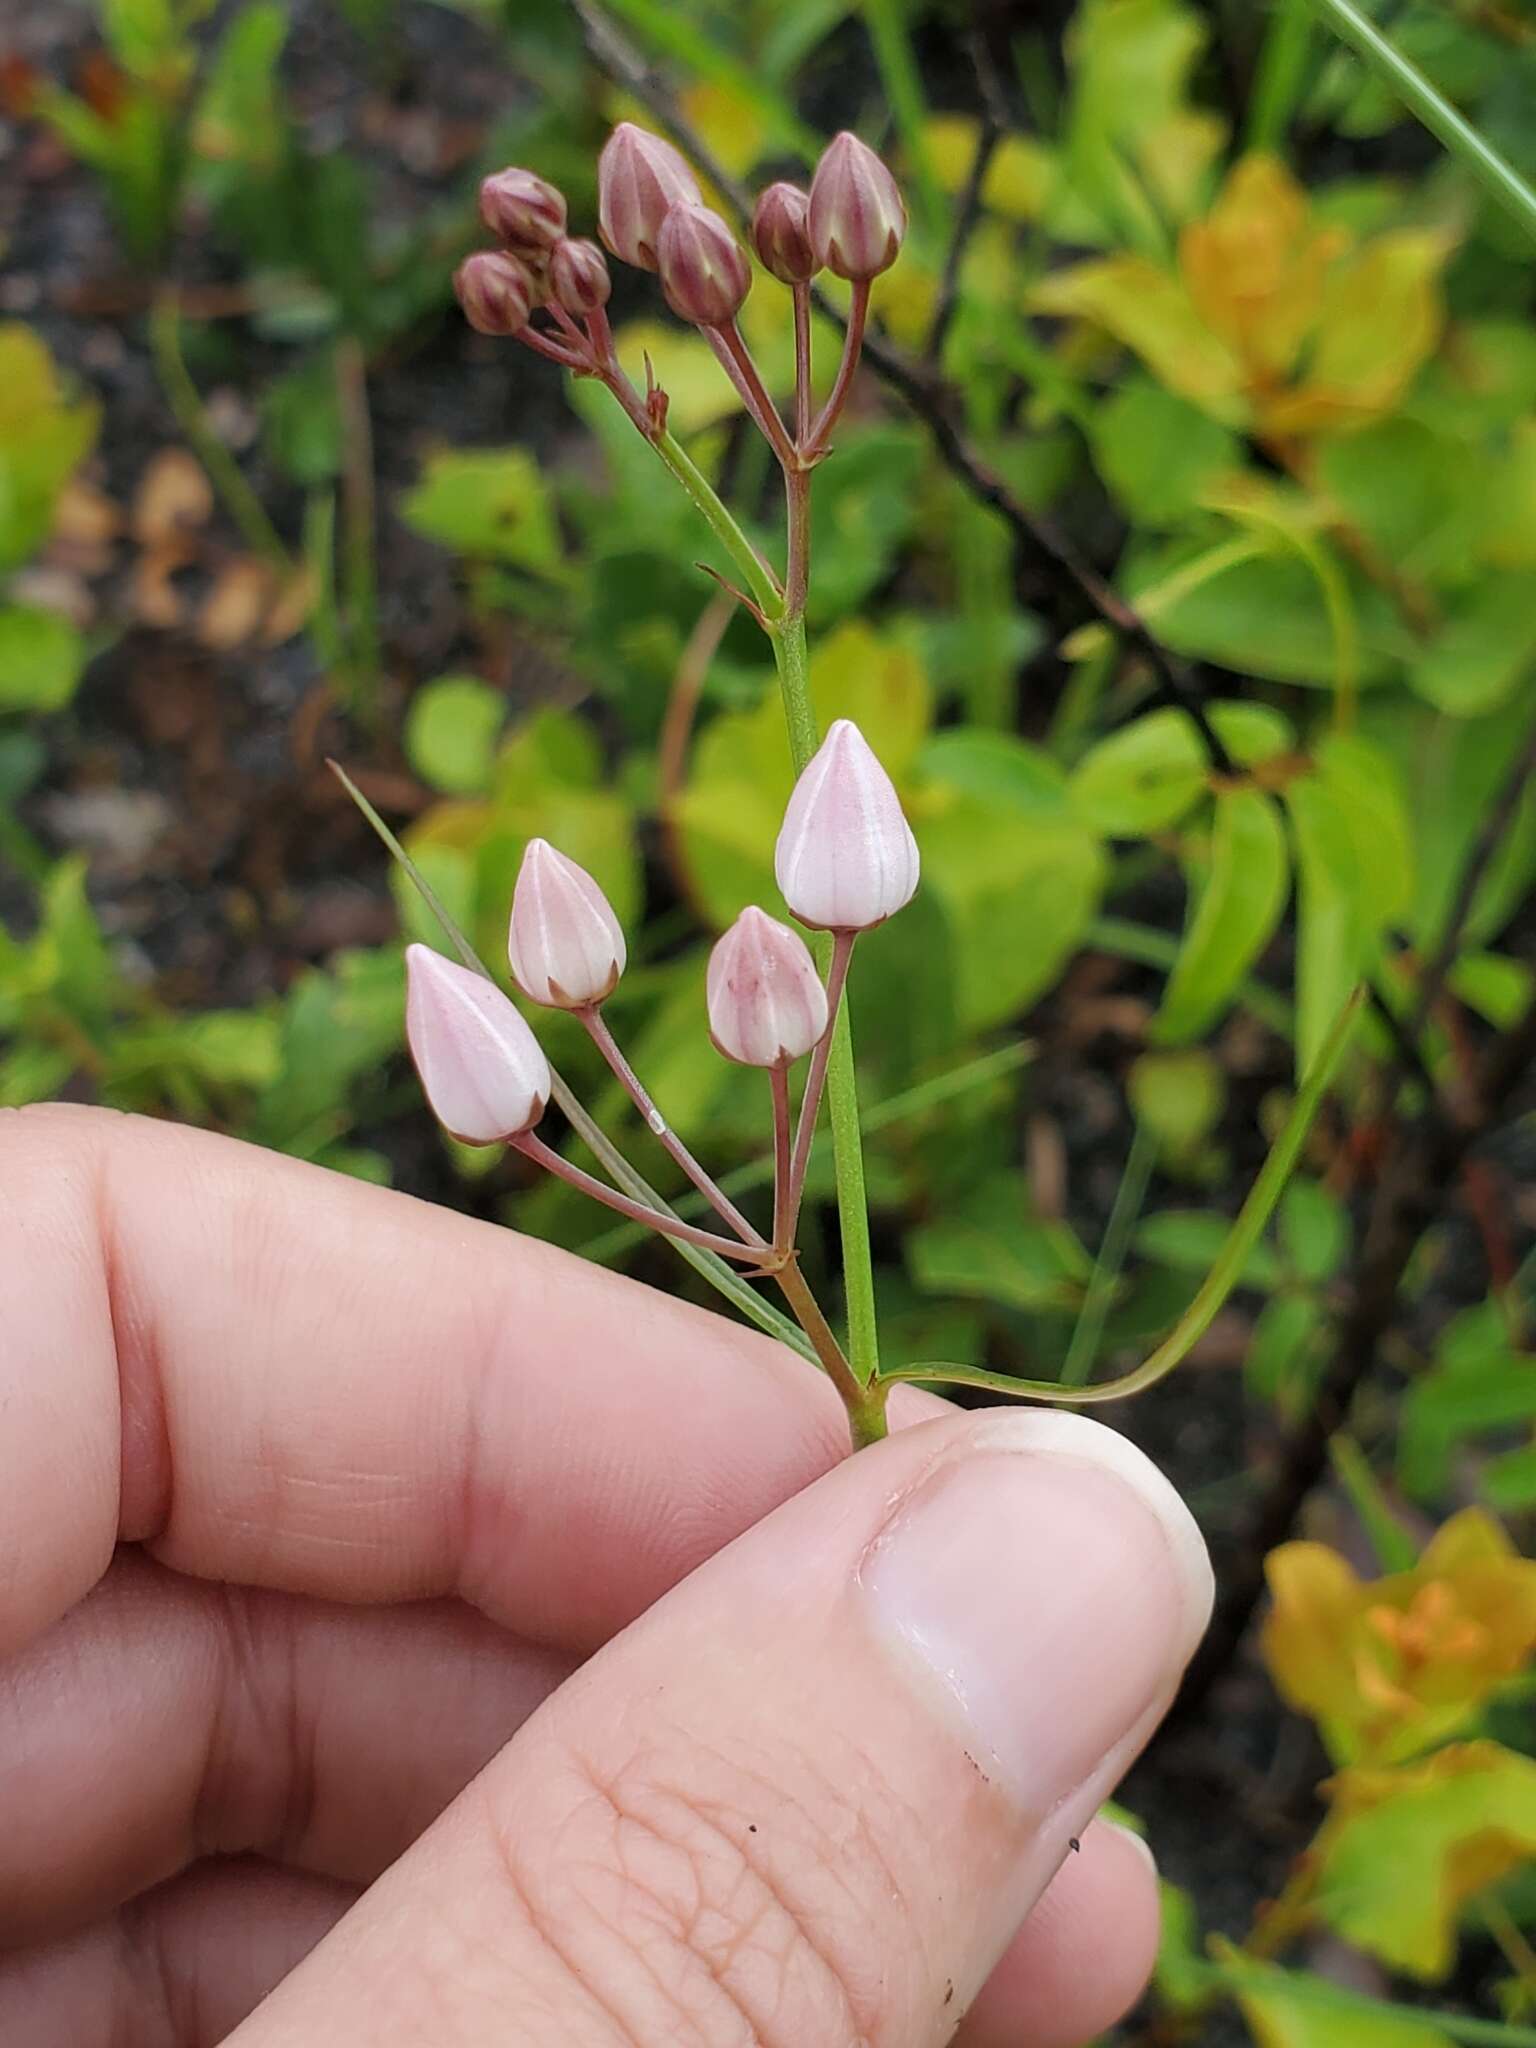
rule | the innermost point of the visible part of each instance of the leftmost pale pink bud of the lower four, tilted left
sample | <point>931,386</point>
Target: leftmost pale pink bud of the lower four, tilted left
<point>480,1066</point>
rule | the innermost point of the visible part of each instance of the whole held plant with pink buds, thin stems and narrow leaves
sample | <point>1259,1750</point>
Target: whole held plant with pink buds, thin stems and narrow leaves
<point>845,861</point>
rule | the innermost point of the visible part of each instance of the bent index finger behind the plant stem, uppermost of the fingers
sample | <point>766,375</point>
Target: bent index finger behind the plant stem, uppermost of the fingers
<point>275,1375</point>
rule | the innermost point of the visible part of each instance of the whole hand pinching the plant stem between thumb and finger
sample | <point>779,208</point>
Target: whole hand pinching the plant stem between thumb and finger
<point>318,1502</point>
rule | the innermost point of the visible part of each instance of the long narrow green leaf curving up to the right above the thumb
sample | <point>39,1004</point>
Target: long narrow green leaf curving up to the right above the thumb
<point>1222,1279</point>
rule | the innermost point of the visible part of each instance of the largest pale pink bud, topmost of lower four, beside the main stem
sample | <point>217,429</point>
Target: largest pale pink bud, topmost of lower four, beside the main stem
<point>847,857</point>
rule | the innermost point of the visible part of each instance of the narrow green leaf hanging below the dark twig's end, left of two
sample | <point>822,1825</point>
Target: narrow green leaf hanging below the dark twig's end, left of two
<point>1234,916</point>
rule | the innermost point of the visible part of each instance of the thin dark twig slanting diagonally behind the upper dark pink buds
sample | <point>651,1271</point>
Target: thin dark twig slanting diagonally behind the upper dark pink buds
<point>929,398</point>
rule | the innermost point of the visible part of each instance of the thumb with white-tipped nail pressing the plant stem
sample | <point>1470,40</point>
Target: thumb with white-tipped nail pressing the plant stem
<point>808,1799</point>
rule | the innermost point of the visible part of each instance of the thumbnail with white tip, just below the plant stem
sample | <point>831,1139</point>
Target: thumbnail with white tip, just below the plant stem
<point>1048,1586</point>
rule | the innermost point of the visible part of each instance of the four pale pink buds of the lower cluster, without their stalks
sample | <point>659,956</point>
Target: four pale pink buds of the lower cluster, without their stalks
<point>847,861</point>
